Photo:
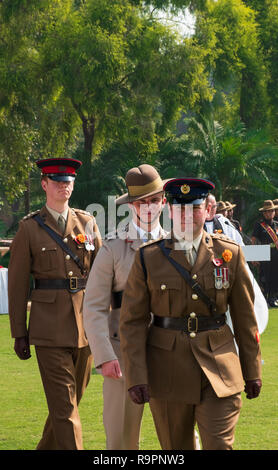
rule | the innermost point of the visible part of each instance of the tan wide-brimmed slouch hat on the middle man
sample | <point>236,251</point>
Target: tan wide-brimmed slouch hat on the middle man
<point>142,181</point>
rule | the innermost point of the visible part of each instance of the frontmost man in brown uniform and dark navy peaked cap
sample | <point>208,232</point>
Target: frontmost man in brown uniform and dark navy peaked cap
<point>186,363</point>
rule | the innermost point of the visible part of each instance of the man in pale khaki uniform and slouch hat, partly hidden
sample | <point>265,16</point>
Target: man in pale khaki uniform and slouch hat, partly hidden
<point>107,279</point>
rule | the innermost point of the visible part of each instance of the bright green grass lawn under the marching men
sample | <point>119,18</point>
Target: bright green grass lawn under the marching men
<point>24,410</point>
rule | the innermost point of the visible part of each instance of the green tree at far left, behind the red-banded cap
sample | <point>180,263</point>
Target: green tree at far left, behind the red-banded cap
<point>22,137</point>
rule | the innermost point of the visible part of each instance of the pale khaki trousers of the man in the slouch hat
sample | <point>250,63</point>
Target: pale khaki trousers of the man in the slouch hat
<point>121,417</point>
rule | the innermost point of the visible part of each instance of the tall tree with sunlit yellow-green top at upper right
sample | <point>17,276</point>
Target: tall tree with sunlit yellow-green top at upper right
<point>235,60</point>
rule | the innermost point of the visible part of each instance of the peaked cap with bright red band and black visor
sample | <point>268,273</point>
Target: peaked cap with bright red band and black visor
<point>59,169</point>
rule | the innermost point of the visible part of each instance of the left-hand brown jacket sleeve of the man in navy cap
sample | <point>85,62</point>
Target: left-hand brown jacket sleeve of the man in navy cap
<point>134,322</point>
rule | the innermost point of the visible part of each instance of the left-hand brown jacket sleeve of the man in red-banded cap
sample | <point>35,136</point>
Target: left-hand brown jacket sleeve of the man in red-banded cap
<point>19,281</point>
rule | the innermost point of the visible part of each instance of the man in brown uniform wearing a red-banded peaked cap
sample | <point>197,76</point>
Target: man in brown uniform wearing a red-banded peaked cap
<point>55,324</point>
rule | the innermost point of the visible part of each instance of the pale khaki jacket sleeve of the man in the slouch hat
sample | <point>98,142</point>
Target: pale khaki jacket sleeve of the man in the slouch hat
<point>97,306</point>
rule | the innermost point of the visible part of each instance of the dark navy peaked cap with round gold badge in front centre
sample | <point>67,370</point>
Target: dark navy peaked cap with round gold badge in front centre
<point>187,190</point>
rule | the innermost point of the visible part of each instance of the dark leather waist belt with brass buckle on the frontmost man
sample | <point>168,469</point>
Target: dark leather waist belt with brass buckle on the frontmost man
<point>191,323</point>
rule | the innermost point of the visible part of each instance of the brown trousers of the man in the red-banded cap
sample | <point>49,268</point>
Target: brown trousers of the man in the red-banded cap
<point>65,373</point>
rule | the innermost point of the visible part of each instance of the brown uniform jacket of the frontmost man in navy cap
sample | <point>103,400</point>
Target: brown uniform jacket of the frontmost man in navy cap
<point>171,361</point>
